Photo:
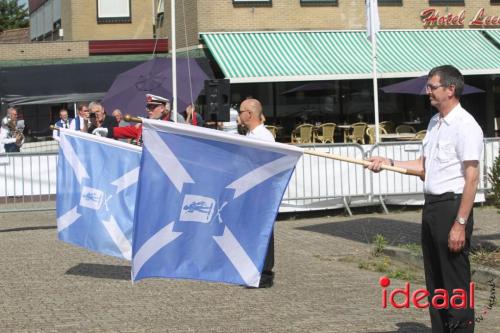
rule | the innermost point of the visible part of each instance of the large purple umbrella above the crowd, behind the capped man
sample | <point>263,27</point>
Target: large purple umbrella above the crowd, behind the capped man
<point>128,92</point>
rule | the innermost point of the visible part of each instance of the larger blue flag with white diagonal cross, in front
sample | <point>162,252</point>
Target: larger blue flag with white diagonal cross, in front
<point>206,203</point>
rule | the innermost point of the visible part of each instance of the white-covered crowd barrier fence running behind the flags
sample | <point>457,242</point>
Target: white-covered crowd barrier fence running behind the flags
<point>28,180</point>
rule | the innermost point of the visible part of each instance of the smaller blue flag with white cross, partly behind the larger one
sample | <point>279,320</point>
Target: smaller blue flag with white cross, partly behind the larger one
<point>96,192</point>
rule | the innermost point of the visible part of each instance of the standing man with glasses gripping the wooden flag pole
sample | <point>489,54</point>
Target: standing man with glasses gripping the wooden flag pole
<point>450,160</point>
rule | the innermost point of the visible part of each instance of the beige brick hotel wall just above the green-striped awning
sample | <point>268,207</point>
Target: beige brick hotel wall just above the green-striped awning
<point>223,15</point>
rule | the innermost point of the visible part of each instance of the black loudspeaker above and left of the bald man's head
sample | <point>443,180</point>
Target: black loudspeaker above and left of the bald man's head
<point>217,93</point>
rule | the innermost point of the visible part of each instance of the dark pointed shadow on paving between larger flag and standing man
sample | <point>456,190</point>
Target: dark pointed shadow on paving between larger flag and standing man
<point>364,230</point>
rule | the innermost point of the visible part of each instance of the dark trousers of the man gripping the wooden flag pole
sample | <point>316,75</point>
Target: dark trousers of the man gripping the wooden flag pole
<point>444,269</point>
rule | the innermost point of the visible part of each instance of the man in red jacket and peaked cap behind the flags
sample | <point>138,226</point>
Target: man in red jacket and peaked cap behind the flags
<point>158,108</point>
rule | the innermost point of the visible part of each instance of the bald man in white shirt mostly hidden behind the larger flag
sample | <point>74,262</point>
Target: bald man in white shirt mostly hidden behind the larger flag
<point>251,117</point>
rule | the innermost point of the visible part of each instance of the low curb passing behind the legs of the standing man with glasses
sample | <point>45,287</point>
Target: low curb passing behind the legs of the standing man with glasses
<point>481,274</point>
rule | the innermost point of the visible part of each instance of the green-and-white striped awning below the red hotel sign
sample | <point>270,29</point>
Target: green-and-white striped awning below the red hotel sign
<point>340,55</point>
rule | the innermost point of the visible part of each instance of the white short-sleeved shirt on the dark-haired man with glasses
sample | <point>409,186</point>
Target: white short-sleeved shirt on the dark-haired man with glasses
<point>448,143</point>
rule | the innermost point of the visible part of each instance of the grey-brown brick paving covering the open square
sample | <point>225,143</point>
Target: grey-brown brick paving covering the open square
<point>49,286</point>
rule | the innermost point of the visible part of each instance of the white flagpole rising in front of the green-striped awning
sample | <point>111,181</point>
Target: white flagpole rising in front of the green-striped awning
<point>374,27</point>
